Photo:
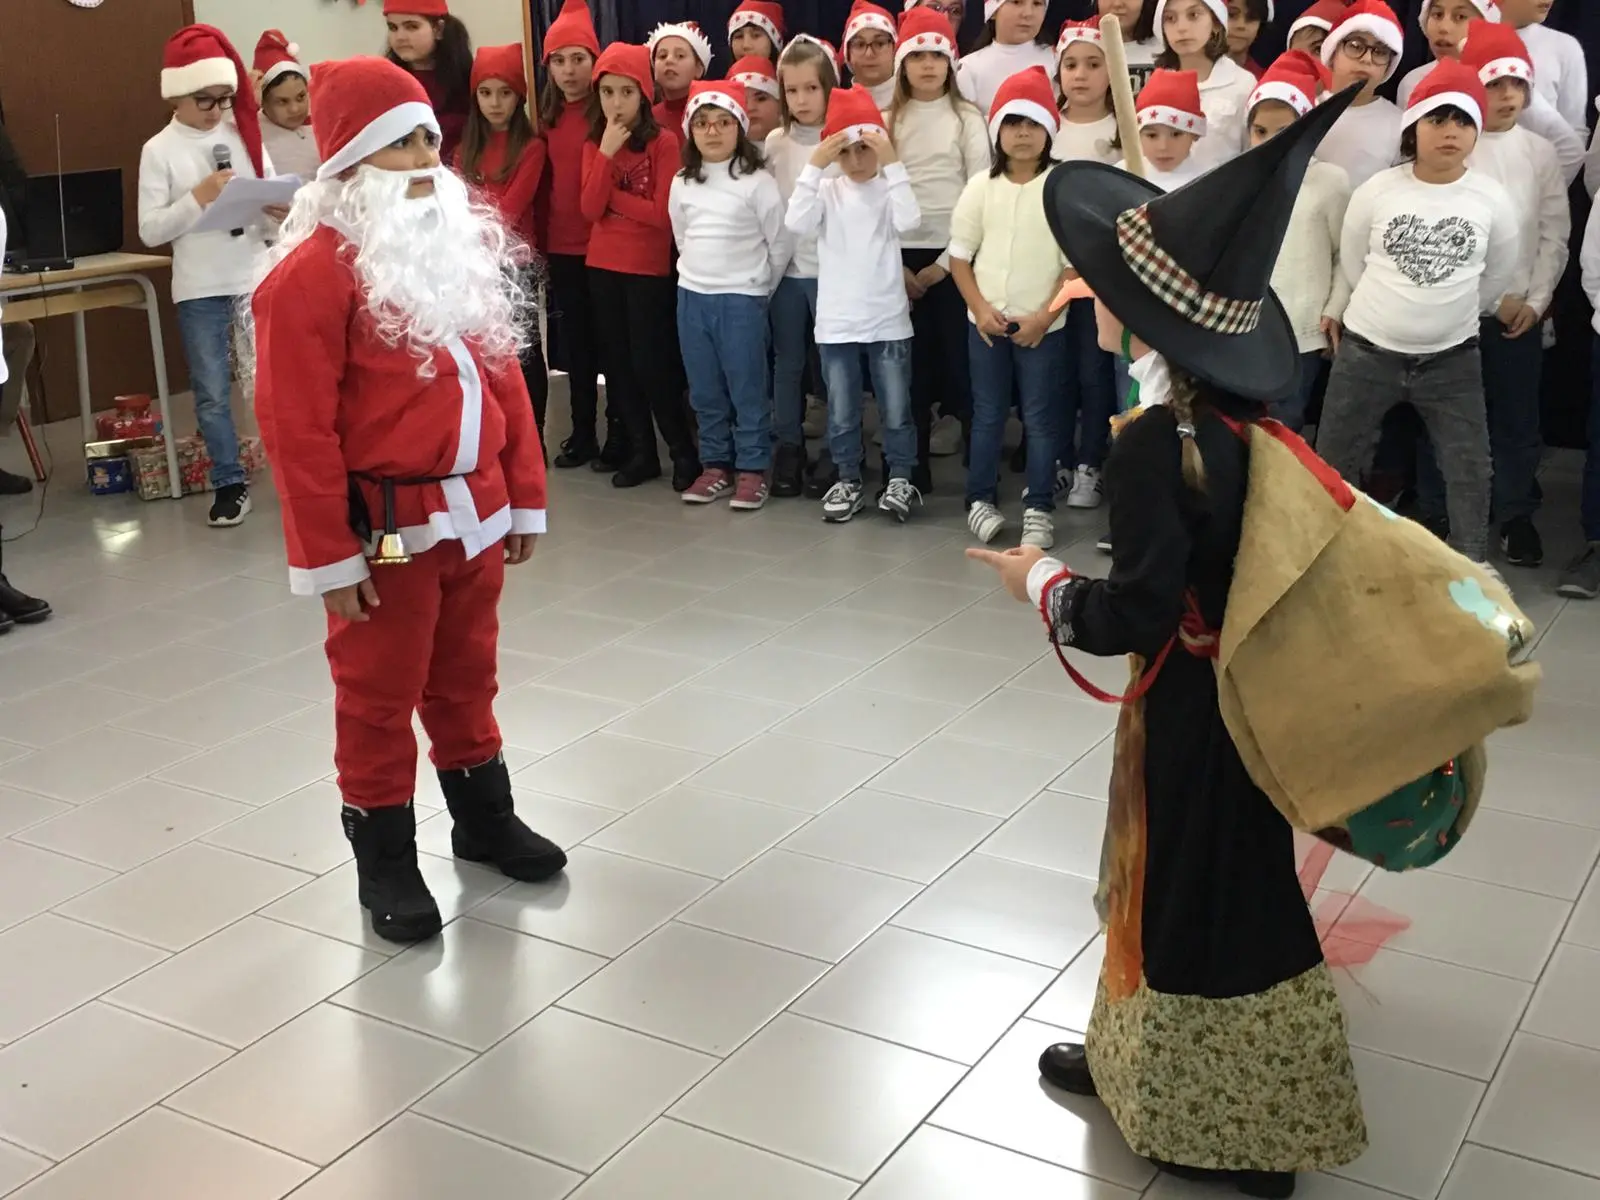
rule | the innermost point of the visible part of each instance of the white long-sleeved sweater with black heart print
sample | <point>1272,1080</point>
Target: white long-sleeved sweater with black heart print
<point>1426,260</point>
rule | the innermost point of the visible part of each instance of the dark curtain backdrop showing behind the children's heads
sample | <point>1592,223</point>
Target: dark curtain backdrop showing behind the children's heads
<point>1567,367</point>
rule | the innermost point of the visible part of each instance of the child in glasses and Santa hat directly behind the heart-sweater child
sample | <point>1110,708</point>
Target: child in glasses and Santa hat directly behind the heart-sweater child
<point>1364,47</point>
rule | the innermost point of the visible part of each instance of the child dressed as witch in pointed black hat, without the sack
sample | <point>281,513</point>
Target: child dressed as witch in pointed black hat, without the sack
<point>1218,1042</point>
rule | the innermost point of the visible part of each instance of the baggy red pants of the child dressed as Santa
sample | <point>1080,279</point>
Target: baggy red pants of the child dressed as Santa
<point>430,649</point>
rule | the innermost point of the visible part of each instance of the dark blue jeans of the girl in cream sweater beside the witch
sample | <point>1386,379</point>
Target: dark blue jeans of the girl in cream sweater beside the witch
<point>1036,375</point>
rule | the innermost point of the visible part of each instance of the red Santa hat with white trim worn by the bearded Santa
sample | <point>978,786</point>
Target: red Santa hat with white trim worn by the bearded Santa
<point>362,106</point>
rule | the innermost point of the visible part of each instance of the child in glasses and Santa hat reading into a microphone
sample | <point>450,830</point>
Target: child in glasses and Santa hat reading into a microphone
<point>215,135</point>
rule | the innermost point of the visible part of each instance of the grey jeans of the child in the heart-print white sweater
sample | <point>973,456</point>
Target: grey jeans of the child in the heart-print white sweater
<point>1447,391</point>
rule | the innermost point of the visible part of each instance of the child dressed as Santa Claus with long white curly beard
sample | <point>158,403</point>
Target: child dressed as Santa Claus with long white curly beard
<point>391,401</point>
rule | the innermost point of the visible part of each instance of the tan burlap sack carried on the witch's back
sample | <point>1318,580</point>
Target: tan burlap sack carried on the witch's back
<point>1358,652</point>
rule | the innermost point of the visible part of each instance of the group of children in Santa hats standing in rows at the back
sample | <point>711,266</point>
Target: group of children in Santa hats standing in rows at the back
<point>722,249</point>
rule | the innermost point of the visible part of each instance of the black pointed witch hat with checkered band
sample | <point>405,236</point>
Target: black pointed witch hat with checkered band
<point>1190,271</point>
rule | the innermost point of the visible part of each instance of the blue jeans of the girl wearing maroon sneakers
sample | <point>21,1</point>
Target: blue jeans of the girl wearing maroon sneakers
<point>724,342</point>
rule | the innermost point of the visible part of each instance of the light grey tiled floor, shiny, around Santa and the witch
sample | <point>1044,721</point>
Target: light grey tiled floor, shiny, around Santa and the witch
<point>834,818</point>
